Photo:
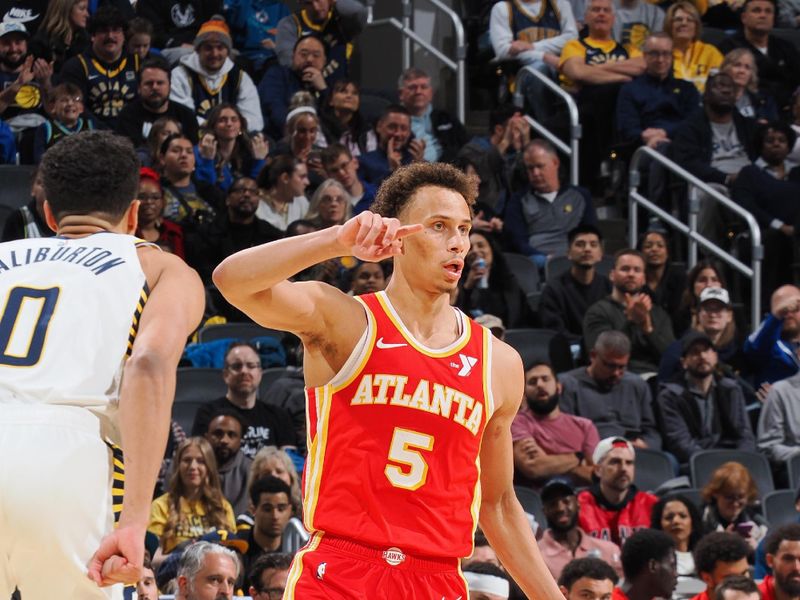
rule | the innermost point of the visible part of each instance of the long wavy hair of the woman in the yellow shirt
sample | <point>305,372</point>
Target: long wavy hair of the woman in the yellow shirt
<point>210,496</point>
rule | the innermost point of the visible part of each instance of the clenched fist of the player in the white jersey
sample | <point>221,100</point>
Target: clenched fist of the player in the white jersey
<point>119,558</point>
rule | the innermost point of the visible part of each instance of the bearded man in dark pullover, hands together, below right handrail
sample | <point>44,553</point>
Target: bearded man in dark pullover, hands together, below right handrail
<point>630,310</point>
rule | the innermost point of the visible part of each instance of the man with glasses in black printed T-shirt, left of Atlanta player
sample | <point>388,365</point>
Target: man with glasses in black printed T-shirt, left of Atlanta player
<point>264,424</point>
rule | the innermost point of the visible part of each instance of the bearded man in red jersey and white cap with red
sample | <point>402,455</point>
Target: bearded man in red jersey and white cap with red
<point>612,509</point>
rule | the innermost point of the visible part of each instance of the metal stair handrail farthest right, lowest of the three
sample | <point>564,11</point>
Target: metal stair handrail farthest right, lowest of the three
<point>690,230</point>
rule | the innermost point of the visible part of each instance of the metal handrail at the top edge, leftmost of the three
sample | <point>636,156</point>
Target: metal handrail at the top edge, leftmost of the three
<point>404,27</point>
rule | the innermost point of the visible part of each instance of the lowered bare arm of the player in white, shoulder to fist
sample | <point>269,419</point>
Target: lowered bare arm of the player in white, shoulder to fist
<point>172,311</point>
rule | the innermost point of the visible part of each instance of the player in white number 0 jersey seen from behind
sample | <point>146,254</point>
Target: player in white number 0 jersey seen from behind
<point>92,325</point>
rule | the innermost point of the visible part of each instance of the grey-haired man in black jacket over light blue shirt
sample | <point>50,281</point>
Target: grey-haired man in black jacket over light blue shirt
<point>443,134</point>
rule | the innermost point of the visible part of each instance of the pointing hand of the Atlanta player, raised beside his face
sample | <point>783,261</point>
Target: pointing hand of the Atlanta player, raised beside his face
<point>371,237</point>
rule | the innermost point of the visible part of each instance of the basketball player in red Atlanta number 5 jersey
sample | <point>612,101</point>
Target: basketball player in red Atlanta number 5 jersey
<point>410,403</point>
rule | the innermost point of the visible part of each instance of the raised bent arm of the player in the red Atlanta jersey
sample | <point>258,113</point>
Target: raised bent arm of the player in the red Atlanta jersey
<point>255,280</point>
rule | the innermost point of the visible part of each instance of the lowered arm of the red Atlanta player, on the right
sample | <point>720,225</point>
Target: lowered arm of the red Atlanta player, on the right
<point>502,518</point>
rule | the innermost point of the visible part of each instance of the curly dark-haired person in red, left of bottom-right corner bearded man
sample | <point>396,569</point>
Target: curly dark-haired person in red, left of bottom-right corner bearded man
<point>719,555</point>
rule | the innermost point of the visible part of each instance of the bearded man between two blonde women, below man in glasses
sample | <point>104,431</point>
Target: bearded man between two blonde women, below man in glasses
<point>225,436</point>
